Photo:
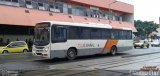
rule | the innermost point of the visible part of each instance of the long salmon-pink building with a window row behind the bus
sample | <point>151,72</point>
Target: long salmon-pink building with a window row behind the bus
<point>18,17</point>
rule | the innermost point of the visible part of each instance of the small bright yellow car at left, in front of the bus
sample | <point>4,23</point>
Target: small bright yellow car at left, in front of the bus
<point>14,47</point>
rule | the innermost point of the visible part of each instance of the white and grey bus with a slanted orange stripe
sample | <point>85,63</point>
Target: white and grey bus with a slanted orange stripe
<point>64,39</point>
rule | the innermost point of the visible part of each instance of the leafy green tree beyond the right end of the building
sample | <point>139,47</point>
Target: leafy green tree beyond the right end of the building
<point>145,28</point>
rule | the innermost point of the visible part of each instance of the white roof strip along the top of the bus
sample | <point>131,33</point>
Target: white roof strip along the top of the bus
<point>86,24</point>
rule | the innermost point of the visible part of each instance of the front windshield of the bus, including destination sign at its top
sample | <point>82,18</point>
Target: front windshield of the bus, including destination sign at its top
<point>42,34</point>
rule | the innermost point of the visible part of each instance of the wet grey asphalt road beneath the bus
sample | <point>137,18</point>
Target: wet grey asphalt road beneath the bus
<point>105,65</point>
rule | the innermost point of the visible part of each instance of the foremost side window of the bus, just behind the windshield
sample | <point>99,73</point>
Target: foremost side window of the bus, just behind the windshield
<point>60,34</point>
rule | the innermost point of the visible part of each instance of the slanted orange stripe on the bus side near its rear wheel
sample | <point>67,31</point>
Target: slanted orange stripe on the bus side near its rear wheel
<point>109,44</point>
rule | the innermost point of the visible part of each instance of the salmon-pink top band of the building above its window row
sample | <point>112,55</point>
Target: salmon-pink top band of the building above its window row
<point>117,6</point>
